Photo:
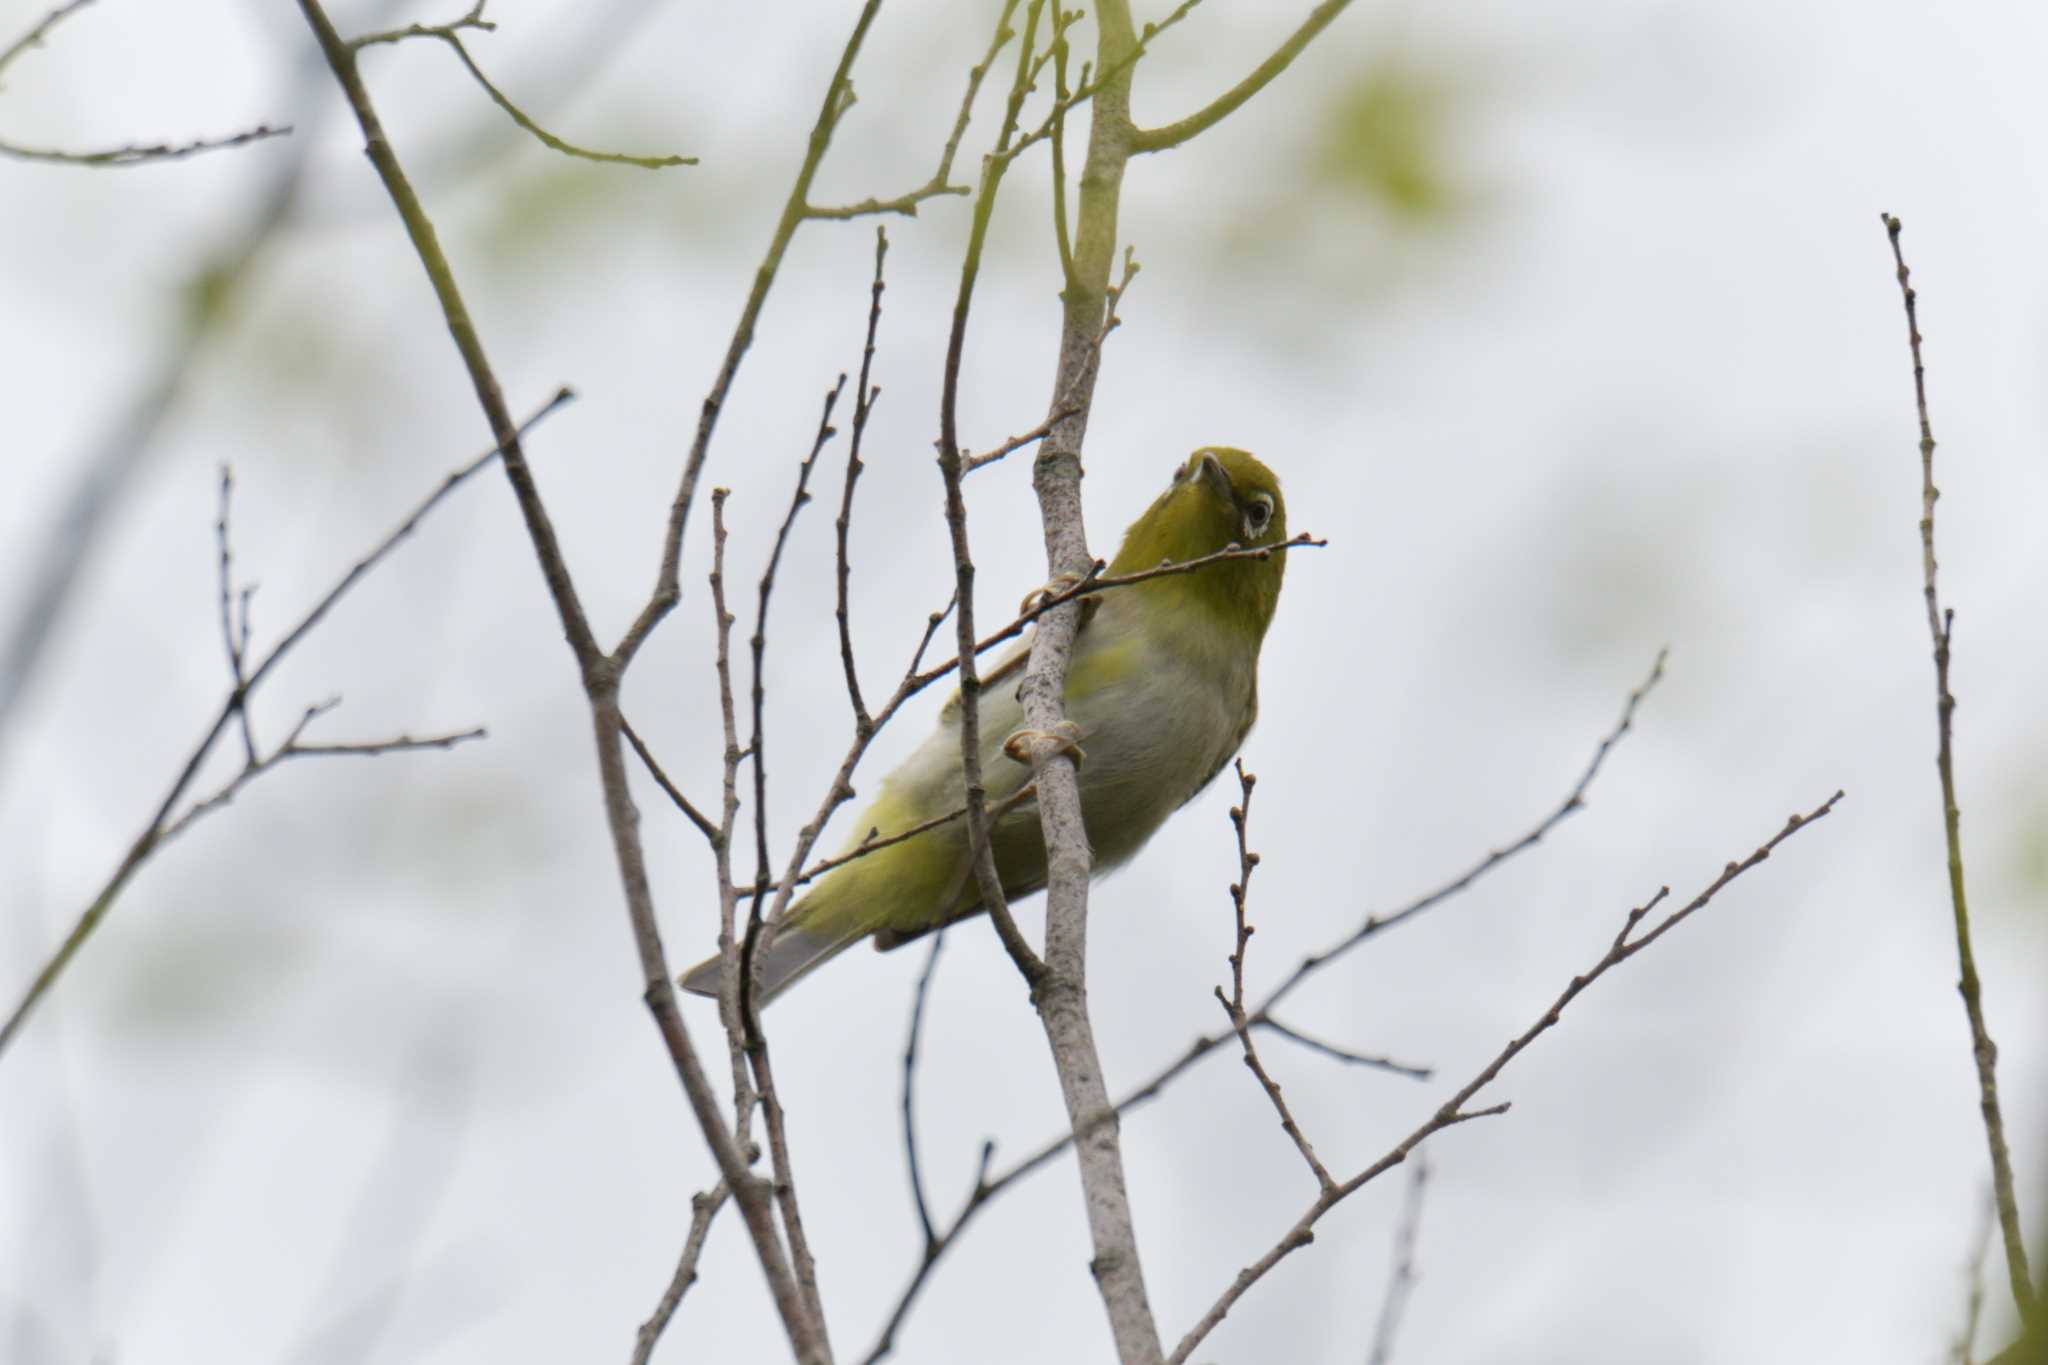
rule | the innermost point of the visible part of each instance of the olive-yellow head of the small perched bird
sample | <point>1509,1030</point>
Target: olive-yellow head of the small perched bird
<point>1218,498</point>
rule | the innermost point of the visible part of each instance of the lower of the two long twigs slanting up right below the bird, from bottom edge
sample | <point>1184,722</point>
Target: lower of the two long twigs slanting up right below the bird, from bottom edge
<point>1455,1110</point>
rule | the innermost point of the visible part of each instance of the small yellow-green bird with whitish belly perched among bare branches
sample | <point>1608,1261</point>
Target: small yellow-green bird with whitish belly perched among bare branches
<point>1160,697</point>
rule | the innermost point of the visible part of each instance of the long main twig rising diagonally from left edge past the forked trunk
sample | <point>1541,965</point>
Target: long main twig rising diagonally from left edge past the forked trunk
<point>153,836</point>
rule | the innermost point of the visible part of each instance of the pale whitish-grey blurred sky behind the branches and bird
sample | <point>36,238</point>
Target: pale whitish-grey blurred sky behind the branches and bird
<point>359,1069</point>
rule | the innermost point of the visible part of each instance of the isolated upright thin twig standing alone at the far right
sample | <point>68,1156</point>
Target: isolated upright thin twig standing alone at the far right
<point>1943,629</point>
